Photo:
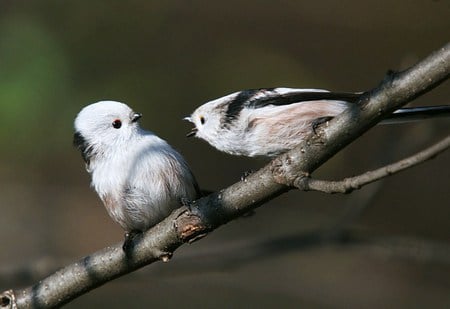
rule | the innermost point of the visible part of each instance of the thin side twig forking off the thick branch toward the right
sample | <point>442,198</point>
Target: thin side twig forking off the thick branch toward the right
<point>349,184</point>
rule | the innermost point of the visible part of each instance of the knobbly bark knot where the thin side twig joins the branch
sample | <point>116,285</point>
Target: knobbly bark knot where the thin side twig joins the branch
<point>285,172</point>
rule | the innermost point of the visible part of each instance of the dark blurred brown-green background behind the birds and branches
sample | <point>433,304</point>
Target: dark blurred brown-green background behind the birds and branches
<point>386,245</point>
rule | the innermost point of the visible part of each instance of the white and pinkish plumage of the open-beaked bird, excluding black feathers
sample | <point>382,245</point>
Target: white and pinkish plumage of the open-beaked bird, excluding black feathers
<point>264,131</point>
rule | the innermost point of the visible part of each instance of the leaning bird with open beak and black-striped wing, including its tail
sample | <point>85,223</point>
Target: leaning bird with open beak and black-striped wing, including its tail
<point>267,122</point>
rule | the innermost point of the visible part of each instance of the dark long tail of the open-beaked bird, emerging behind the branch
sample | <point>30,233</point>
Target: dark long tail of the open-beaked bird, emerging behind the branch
<point>410,114</point>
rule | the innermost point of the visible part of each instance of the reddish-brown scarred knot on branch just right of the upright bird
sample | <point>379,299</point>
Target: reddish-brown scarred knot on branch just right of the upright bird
<point>189,224</point>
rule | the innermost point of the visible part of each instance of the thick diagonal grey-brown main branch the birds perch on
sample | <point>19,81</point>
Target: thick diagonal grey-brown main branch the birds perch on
<point>190,223</point>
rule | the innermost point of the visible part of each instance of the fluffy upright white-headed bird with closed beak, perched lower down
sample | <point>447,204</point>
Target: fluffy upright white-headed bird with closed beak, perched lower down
<point>138,176</point>
